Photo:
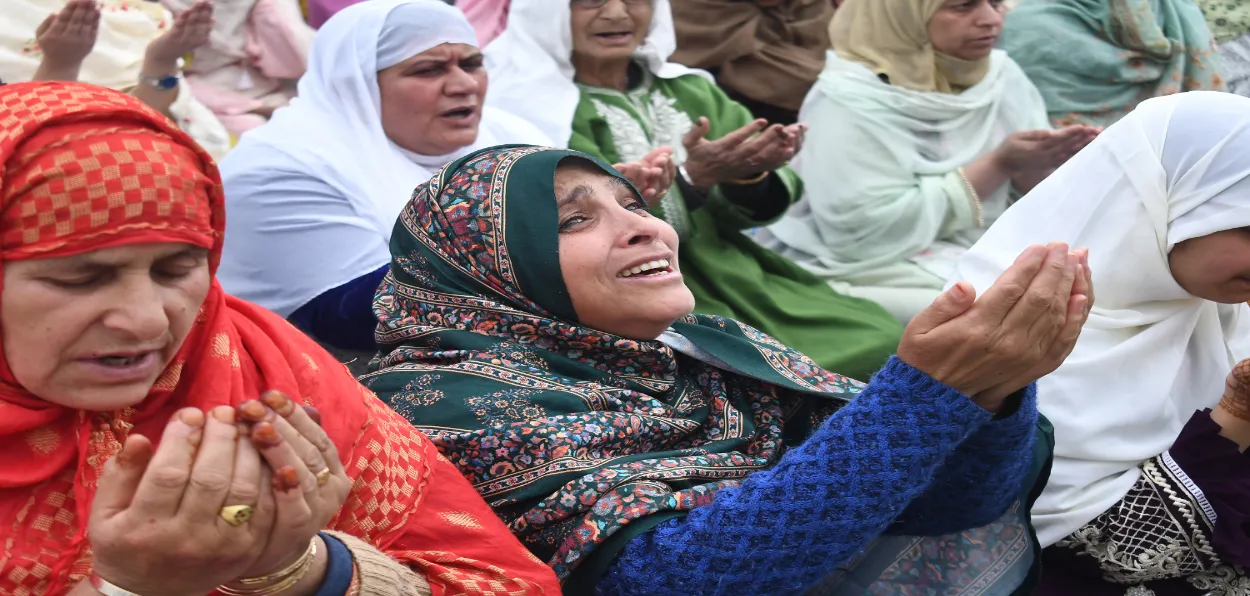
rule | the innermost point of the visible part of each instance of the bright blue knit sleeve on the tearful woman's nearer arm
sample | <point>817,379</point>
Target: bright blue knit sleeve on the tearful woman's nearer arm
<point>787,528</point>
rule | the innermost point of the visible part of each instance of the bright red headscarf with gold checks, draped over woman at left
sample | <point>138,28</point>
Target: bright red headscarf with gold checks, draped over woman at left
<point>84,168</point>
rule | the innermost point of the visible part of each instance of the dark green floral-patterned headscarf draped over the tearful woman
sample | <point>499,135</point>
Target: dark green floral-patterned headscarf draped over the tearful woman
<point>483,350</point>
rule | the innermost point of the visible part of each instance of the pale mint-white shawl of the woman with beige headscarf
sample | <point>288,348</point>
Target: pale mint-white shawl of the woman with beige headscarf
<point>879,168</point>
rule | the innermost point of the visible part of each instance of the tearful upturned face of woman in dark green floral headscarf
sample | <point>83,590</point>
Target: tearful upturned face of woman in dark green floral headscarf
<point>619,263</point>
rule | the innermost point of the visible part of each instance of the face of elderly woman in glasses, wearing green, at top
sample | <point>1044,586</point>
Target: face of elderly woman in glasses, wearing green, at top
<point>609,31</point>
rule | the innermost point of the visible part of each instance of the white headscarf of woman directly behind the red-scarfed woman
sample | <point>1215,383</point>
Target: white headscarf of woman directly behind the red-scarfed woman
<point>314,194</point>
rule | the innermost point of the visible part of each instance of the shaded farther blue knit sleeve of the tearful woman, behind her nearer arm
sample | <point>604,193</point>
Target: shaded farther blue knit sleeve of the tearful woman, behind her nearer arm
<point>981,480</point>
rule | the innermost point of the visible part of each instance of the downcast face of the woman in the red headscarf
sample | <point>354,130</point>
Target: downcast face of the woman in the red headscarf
<point>94,332</point>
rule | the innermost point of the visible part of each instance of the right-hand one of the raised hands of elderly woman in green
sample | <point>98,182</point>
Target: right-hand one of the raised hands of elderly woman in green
<point>743,154</point>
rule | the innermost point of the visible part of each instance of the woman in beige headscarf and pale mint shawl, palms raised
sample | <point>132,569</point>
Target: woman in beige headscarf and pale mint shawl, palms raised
<point>922,136</point>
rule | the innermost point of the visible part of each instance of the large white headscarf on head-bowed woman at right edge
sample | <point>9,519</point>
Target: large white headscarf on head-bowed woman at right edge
<point>1152,354</point>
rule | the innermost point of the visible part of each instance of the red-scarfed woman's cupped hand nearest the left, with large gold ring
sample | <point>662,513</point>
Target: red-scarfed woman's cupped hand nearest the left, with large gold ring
<point>157,522</point>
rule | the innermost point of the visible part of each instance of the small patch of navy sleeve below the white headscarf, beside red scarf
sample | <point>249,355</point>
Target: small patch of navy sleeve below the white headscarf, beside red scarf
<point>344,317</point>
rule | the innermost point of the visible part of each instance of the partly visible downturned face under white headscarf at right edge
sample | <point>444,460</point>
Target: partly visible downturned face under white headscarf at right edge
<point>1216,268</point>
